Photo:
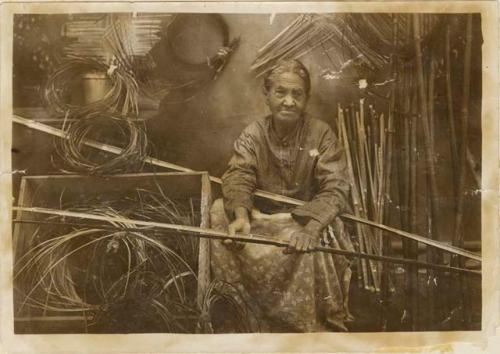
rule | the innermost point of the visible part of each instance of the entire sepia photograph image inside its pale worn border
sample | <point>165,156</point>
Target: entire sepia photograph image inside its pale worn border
<point>215,172</point>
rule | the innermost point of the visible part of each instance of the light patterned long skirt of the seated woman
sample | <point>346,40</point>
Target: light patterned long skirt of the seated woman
<point>298,292</point>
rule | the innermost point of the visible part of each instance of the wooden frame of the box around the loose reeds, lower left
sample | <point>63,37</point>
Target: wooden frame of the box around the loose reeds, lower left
<point>44,190</point>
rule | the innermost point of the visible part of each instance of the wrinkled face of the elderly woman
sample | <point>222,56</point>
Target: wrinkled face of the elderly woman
<point>287,98</point>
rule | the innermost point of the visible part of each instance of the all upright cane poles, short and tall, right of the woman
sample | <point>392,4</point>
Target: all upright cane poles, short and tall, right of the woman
<point>412,113</point>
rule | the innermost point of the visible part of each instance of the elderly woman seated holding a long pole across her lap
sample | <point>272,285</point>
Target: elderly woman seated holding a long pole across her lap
<point>291,154</point>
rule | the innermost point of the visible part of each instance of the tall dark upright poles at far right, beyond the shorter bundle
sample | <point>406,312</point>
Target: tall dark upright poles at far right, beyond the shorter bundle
<point>417,135</point>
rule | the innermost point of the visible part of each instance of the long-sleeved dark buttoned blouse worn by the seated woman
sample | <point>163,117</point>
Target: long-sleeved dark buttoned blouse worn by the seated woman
<point>308,164</point>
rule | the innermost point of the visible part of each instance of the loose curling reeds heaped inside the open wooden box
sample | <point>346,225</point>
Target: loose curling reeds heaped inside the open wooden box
<point>95,268</point>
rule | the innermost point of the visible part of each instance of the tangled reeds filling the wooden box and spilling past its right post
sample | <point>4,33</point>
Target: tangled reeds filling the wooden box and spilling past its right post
<point>121,277</point>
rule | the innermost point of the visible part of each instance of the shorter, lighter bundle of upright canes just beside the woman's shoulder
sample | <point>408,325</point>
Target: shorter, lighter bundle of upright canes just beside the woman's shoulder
<point>363,133</point>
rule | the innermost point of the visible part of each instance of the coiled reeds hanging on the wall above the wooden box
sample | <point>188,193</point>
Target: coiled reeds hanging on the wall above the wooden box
<point>112,117</point>
